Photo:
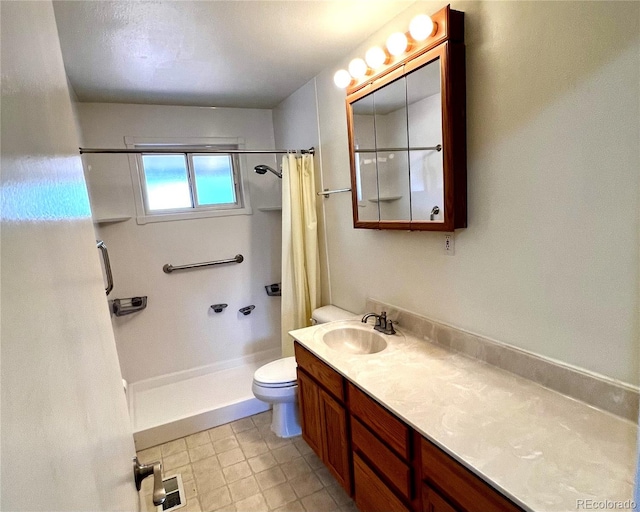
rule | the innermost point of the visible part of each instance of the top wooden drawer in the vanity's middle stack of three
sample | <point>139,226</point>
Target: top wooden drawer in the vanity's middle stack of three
<point>387,427</point>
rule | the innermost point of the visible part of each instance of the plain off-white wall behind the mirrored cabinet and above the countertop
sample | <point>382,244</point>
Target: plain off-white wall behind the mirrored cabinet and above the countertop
<point>549,262</point>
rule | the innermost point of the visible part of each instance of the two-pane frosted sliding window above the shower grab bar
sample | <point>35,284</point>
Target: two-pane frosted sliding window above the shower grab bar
<point>189,185</point>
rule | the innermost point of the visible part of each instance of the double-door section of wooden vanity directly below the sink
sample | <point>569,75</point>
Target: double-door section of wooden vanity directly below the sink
<point>323,414</point>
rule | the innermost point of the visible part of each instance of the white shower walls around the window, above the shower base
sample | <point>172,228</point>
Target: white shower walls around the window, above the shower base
<point>178,331</point>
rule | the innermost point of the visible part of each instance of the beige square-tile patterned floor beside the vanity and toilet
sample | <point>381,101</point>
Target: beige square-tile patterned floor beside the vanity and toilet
<point>243,467</point>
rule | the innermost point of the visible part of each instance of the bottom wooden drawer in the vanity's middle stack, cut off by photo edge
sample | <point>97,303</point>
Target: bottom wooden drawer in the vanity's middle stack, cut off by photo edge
<point>372,495</point>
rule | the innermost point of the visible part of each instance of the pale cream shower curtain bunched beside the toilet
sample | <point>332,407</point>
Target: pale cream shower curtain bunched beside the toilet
<point>300,258</point>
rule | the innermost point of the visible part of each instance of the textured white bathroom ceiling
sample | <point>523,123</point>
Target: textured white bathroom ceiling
<point>208,53</point>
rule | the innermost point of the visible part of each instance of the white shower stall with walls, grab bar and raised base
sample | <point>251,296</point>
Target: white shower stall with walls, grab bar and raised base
<point>189,366</point>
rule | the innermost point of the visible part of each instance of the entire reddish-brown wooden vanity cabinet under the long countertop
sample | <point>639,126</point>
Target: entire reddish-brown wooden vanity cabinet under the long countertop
<point>379,460</point>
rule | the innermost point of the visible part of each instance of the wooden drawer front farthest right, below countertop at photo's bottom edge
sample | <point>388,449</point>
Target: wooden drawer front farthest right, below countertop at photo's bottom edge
<point>459,484</point>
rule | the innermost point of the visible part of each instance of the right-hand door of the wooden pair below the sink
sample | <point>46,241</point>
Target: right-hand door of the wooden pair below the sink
<point>336,456</point>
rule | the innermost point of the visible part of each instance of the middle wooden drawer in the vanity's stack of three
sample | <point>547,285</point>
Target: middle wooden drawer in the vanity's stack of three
<point>382,458</point>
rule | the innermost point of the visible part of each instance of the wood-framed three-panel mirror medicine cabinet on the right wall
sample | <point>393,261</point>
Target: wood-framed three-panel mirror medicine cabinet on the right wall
<point>406,124</point>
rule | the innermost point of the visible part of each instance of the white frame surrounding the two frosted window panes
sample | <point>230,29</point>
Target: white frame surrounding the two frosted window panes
<point>192,147</point>
